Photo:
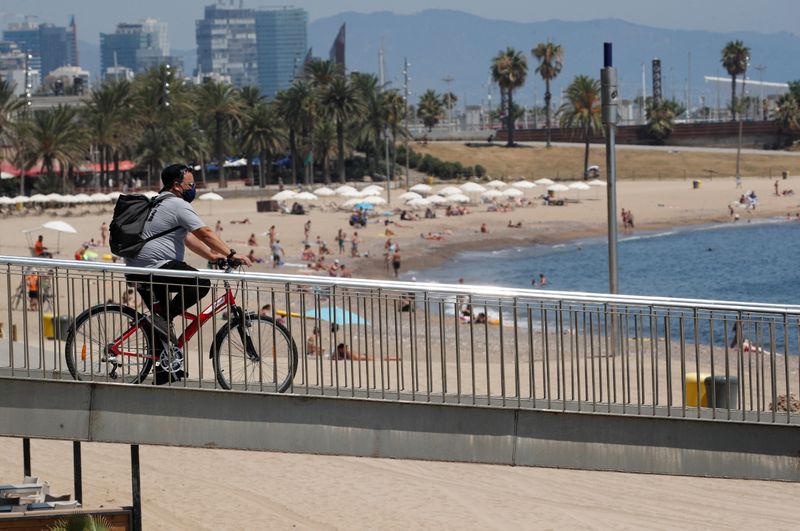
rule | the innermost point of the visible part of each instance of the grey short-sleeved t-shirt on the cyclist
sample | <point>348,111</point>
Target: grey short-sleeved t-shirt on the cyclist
<point>171,212</point>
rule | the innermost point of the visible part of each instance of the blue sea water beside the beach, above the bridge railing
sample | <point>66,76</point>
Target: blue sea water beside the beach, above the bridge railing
<point>748,262</point>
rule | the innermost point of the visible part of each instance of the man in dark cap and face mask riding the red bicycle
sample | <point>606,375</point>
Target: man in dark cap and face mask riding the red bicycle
<point>167,252</point>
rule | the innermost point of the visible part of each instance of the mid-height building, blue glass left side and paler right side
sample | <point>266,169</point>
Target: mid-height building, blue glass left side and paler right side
<point>137,46</point>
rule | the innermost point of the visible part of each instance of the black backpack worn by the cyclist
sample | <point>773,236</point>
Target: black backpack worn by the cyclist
<point>130,215</point>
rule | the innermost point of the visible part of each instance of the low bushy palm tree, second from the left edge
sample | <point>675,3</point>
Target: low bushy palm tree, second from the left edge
<point>57,137</point>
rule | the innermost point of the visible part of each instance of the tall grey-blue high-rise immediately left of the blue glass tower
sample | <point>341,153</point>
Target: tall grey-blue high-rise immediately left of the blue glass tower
<point>226,43</point>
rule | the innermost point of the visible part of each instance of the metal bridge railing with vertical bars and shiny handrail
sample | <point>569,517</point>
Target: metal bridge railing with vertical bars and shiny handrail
<point>420,342</point>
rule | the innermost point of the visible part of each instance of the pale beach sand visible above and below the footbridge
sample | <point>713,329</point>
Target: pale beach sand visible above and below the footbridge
<point>212,489</point>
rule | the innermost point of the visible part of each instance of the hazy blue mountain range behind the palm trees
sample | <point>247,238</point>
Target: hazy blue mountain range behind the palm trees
<point>443,44</point>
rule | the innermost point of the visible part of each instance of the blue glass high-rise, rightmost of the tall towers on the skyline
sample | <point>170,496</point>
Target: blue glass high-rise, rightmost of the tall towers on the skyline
<point>282,43</point>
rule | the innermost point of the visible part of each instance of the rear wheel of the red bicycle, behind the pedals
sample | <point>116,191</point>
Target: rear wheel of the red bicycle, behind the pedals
<point>88,340</point>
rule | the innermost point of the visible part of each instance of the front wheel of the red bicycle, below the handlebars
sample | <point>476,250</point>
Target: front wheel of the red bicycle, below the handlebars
<point>257,355</point>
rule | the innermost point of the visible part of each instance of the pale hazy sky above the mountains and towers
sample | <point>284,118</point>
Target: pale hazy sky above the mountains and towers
<point>95,16</point>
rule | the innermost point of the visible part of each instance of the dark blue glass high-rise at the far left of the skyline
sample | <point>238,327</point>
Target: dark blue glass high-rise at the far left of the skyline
<point>51,46</point>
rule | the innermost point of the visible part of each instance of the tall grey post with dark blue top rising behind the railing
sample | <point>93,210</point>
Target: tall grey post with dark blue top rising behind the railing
<point>610,99</point>
